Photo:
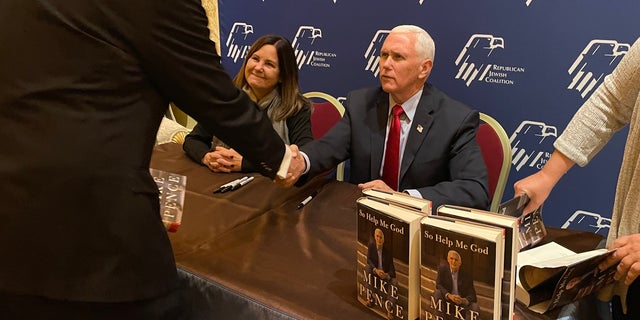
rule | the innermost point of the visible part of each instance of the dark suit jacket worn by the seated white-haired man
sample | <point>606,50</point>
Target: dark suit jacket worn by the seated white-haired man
<point>442,161</point>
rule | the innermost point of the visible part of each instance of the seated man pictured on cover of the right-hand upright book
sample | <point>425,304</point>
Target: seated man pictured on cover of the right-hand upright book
<point>456,286</point>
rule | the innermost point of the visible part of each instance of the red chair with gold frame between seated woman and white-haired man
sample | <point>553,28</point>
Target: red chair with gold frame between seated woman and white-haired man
<point>327,111</point>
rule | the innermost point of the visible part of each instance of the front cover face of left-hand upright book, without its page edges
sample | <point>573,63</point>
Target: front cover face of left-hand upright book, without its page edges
<point>378,276</point>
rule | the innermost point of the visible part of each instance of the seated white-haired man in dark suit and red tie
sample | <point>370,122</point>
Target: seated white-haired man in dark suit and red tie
<point>439,158</point>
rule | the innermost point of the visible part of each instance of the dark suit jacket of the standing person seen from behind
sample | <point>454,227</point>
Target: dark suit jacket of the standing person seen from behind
<point>83,87</point>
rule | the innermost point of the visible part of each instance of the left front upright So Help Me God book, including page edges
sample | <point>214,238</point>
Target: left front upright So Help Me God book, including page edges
<point>388,251</point>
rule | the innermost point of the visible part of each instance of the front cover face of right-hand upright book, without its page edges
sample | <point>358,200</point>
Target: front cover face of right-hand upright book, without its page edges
<point>454,279</point>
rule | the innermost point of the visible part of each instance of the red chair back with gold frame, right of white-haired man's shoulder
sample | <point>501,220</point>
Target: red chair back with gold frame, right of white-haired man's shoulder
<point>496,152</point>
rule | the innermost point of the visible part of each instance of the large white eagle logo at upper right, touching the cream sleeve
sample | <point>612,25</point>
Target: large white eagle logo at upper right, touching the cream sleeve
<point>595,61</point>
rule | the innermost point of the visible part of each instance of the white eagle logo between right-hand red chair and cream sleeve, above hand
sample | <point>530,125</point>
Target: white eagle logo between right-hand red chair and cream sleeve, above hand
<point>532,144</point>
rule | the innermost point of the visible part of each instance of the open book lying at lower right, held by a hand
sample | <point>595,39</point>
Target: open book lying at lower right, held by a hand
<point>551,283</point>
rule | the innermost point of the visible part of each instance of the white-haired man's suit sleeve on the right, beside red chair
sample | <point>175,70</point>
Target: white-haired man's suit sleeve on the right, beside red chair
<point>468,185</point>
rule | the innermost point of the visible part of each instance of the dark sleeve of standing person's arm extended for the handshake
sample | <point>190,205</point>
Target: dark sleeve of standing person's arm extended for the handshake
<point>182,62</point>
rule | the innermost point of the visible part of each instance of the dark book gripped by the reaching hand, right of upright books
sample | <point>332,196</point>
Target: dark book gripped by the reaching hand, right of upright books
<point>532,228</point>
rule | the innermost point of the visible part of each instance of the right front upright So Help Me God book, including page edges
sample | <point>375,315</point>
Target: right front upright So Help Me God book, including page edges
<point>461,270</point>
